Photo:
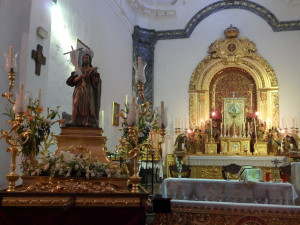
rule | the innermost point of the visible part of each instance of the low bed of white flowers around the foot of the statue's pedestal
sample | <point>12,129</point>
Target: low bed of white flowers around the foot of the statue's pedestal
<point>67,164</point>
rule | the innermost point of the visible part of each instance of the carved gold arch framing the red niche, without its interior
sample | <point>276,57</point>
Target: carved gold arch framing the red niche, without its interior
<point>244,58</point>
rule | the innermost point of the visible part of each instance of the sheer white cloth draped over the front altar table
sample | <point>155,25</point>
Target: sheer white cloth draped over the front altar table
<point>228,191</point>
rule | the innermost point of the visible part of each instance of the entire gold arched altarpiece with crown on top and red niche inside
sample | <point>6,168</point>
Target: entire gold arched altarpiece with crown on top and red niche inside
<point>233,66</point>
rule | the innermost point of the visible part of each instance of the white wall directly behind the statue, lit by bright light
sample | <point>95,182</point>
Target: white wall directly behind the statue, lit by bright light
<point>95,23</point>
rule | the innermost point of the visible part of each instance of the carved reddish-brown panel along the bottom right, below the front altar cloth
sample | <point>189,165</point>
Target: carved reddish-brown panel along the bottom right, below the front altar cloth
<point>199,212</point>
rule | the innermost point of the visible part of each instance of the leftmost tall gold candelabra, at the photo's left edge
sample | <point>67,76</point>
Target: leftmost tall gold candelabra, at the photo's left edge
<point>13,137</point>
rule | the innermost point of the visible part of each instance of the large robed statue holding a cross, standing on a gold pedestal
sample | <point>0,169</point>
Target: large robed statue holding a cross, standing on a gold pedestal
<point>87,91</point>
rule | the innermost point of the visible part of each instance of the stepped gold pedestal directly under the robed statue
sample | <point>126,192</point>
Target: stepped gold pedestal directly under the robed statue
<point>83,140</point>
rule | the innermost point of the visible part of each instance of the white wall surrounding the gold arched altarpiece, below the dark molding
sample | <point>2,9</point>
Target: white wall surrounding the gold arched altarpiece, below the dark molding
<point>175,60</point>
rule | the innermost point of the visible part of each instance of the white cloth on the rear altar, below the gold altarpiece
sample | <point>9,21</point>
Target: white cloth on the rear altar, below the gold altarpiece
<point>256,161</point>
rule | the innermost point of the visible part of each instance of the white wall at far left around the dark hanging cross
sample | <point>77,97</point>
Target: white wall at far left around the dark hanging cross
<point>19,20</point>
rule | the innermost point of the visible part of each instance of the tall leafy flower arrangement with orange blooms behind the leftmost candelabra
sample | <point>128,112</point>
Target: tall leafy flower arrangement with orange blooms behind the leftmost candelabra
<point>38,125</point>
